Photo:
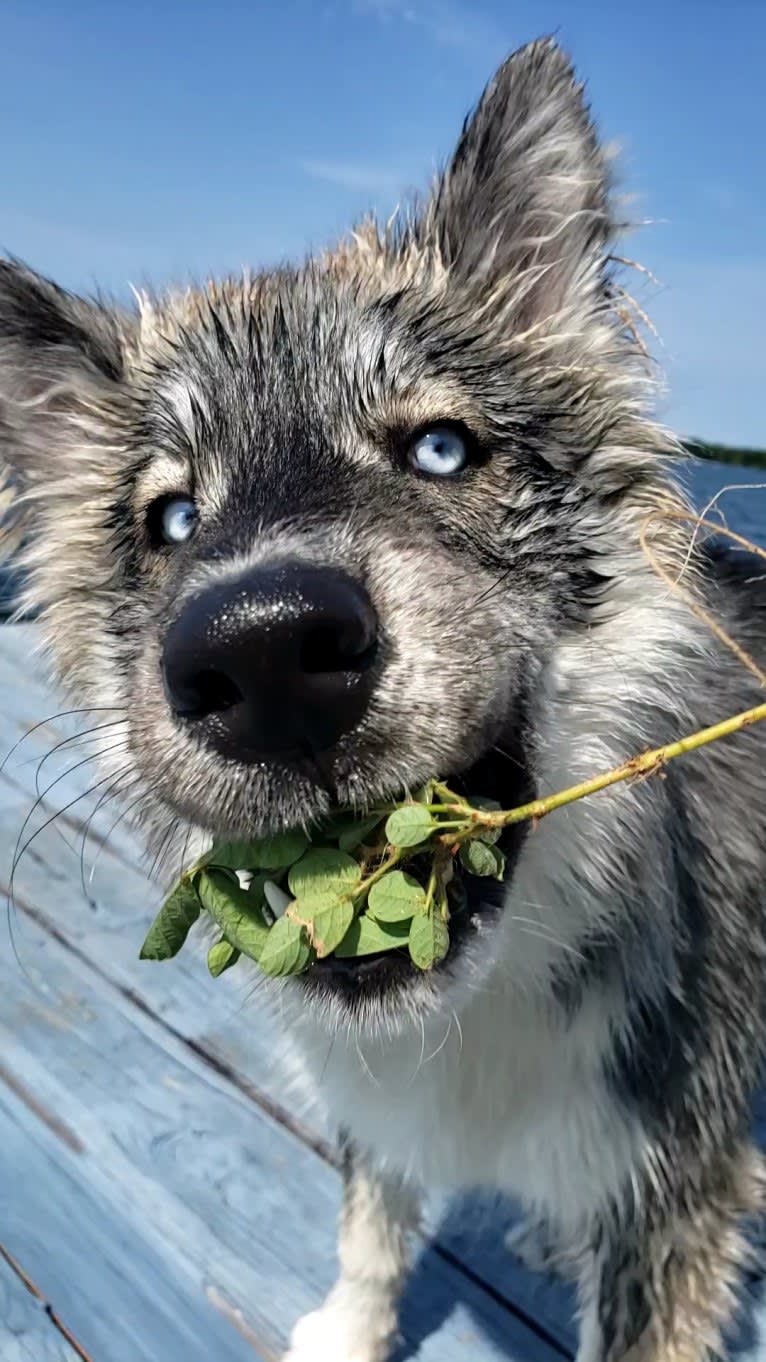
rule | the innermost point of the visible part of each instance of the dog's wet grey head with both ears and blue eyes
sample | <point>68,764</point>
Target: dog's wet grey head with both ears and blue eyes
<point>317,535</point>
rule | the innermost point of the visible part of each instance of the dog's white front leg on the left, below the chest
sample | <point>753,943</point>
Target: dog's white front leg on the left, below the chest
<point>358,1323</point>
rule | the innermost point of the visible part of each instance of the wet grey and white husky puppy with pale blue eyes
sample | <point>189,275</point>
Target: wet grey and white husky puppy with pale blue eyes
<point>328,532</point>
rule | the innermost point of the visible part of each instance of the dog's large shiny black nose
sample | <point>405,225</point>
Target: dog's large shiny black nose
<point>279,661</point>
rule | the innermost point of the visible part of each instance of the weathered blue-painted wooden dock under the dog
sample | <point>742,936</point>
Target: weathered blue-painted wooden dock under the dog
<point>160,1198</point>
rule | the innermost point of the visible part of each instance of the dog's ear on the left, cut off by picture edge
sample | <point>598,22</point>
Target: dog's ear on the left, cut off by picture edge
<point>61,356</point>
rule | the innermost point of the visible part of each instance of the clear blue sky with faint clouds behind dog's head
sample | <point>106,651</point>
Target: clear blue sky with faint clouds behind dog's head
<point>149,142</point>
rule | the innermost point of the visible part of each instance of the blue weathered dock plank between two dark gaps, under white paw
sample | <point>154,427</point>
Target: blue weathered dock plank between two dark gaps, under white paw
<point>155,1205</point>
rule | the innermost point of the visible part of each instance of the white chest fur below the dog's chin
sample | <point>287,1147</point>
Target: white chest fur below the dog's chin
<point>506,1097</point>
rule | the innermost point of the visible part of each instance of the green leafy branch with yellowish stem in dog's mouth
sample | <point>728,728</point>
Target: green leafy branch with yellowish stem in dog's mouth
<point>367,885</point>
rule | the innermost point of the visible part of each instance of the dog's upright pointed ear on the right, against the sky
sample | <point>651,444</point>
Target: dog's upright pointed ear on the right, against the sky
<point>524,205</point>
